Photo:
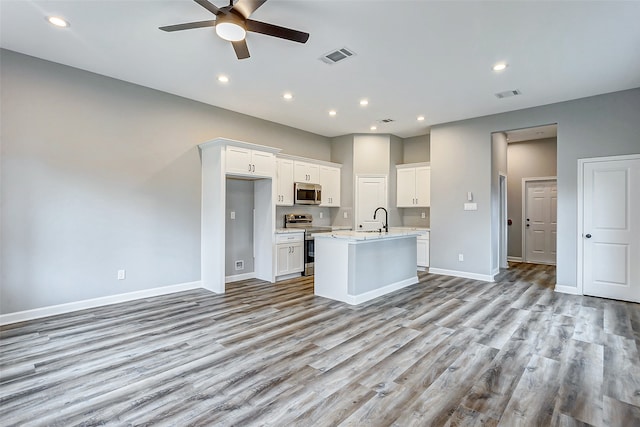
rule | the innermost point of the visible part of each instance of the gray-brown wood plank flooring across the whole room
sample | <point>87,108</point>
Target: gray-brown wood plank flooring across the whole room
<point>444,352</point>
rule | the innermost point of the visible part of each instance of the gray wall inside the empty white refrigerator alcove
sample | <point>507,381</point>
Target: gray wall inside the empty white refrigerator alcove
<point>239,231</point>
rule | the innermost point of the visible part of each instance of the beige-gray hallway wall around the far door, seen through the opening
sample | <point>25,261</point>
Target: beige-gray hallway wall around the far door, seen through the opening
<point>527,159</point>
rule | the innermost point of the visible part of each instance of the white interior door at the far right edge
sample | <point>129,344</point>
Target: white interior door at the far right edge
<point>610,232</point>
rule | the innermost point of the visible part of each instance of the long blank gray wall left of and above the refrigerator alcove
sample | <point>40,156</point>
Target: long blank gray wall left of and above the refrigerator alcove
<point>100,175</point>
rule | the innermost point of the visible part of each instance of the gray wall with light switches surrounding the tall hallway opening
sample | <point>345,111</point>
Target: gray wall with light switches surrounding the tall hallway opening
<point>461,161</point>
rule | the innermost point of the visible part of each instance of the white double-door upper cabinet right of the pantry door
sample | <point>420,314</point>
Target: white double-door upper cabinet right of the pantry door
<point>413,186</point>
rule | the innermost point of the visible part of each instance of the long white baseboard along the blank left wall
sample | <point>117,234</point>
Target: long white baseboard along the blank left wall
<point>52,310</point>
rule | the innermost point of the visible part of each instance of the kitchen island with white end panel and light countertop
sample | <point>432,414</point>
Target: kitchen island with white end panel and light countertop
<point>355,266</point>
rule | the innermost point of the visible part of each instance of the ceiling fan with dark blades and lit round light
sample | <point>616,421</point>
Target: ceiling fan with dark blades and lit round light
<point>232,23</point>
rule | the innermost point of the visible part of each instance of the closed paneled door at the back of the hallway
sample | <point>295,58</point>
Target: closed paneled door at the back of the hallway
<point>540,223</point>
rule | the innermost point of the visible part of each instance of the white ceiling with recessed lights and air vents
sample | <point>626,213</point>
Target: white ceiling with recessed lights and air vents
<point>430,58</point>
